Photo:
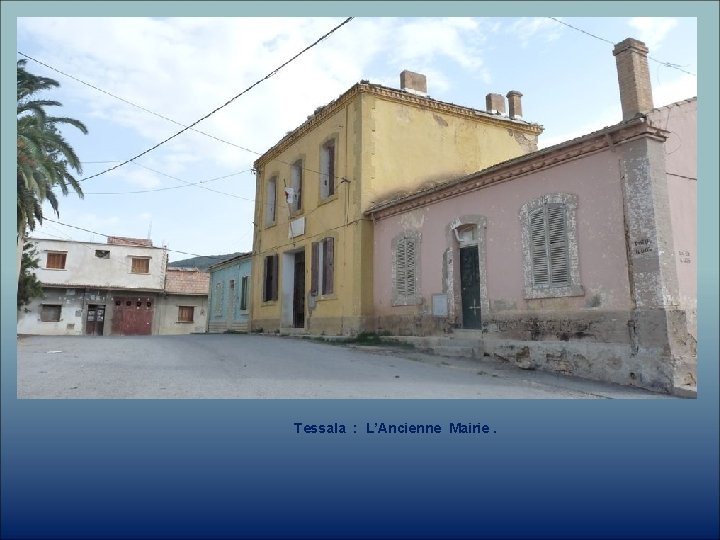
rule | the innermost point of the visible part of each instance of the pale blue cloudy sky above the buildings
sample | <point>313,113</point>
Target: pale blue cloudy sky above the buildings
<point>167,72</point>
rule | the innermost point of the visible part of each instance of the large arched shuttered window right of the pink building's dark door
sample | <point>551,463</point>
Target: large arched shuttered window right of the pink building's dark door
<point>550,260</point>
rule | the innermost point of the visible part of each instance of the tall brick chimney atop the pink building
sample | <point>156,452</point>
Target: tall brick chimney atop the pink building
<point>633,77</point>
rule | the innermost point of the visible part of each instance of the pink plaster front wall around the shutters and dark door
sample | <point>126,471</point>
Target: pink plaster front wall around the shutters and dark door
<point>601,240</point>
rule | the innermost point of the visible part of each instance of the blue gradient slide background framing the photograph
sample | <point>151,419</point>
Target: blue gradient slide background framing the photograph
<point>232,469</point>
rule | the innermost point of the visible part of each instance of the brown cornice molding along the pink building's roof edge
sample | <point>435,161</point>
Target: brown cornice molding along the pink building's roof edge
<point>521,166</point>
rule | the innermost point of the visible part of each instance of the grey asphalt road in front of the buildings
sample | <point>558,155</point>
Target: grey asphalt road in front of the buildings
<point>256,366</point>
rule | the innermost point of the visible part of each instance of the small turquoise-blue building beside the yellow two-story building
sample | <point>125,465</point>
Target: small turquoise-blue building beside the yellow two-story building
<point>229,297</point>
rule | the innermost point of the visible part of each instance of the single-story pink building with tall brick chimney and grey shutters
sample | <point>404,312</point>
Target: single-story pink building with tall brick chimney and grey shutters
<point>579,258</point>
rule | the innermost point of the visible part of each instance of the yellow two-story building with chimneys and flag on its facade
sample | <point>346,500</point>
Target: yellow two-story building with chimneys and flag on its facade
<point>312,252</point>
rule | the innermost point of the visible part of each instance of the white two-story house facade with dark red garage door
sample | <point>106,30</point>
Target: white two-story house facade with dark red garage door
<point>94,288</point>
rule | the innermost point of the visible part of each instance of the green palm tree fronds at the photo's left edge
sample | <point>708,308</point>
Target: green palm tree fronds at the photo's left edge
<point>45,160</point>
